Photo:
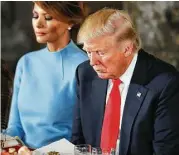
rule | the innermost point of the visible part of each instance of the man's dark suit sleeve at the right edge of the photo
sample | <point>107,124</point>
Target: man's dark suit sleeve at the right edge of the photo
<point>166,125</point>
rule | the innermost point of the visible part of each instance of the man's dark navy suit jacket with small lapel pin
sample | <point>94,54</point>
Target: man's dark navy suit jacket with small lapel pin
<point>150,122</point>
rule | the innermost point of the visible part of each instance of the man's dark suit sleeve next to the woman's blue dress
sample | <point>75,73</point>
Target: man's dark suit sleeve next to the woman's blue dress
<point>77,133</point>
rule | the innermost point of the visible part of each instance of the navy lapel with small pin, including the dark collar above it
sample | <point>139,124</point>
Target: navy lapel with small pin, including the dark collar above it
<point>134,99</point>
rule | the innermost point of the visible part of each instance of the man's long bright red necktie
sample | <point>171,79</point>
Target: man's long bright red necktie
<point>111,122</point>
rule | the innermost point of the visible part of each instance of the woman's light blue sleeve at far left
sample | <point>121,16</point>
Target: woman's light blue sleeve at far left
<point>14,124</point>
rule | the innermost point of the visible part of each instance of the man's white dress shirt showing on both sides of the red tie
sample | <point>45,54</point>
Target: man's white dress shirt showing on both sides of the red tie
<point>123,88</point>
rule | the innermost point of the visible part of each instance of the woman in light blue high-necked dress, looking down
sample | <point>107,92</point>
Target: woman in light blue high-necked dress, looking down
<point>44,86</point>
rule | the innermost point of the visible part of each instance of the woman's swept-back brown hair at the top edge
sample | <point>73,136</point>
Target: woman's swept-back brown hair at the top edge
<point>72,12</point>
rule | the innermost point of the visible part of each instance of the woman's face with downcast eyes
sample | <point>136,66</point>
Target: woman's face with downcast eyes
<point>46,27</point>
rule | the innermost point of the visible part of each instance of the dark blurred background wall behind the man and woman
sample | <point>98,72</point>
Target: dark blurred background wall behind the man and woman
<point>157,23</point>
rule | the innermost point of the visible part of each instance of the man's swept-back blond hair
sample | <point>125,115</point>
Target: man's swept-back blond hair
<point>109,22</point>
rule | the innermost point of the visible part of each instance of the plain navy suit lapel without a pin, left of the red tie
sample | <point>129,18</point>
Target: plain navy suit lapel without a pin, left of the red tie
<point>99,88</point>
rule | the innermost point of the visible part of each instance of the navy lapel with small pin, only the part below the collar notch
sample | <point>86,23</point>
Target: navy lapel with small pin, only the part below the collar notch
<point>134,100</point>
